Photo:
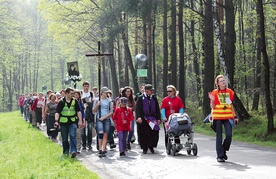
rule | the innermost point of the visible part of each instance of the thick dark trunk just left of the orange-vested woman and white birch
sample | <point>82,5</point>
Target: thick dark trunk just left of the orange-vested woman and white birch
<point>208,56</point>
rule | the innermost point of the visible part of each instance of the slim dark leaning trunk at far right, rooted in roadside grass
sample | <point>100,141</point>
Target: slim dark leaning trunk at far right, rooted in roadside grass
<point>269,112</point>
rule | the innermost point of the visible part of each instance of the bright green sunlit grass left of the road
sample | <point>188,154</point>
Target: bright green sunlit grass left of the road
<point>27,153</point>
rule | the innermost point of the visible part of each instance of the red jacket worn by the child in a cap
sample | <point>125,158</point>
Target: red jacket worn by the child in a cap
<point>122,117</point>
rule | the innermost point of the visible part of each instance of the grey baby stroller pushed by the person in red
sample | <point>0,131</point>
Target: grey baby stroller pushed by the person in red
<point>180,124</point>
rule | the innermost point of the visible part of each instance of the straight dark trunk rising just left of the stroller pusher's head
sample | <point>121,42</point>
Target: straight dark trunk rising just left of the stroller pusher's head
<point>165,48</point>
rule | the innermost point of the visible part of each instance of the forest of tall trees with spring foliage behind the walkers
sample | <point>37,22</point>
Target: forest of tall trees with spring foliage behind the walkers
<point>187,44</point>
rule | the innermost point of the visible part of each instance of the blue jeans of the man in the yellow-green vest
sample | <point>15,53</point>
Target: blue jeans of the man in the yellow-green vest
<point>71,130</point>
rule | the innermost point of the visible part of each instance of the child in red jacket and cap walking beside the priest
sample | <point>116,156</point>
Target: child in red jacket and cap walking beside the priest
<point>122,117</point>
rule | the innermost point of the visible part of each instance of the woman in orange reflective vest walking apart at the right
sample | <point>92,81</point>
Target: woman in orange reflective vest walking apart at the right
<point>222,114</point>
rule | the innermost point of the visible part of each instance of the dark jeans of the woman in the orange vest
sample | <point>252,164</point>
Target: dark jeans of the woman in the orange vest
<point>222,147</point>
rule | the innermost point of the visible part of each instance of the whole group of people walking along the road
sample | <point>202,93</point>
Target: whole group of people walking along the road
<point>76,114</point>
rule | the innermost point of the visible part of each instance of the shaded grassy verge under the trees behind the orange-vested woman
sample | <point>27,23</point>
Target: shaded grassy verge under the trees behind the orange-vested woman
<point>253,130</point>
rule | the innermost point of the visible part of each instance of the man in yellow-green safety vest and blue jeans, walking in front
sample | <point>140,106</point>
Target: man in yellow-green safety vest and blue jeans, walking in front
<point>67,116</point>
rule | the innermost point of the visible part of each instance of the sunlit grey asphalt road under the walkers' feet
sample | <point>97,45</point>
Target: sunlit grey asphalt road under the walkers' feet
<point>244,161</point>
